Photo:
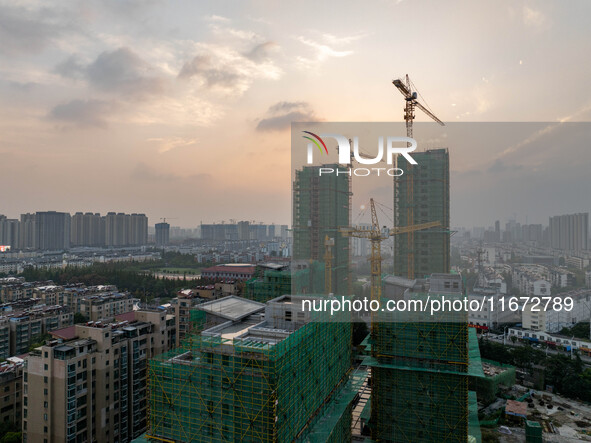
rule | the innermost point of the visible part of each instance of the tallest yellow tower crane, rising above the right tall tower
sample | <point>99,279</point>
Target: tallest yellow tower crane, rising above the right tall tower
<point>405,87</point>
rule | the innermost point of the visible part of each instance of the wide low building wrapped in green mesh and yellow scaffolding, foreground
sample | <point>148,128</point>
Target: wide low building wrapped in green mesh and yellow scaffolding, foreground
<point>254,382</point>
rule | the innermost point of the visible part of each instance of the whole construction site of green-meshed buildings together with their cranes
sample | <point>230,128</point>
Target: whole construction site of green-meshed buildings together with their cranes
<point>260,369</point>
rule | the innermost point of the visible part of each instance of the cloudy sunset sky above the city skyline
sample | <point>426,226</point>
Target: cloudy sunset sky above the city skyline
<point>182,109</point>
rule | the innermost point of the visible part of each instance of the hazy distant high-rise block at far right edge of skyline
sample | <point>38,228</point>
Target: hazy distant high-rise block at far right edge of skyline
<point>570,232</point>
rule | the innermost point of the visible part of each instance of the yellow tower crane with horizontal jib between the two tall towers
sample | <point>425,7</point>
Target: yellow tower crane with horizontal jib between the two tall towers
<point>376,235</point>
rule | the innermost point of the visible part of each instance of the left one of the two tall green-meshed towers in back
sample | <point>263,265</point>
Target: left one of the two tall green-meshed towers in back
<point>320,207</point>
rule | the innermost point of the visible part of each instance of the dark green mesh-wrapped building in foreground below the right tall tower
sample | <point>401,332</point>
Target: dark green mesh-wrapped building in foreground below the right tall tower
<point>420,370</point>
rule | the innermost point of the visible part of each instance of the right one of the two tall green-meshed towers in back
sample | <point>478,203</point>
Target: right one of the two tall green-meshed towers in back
<point>427,194</point>
